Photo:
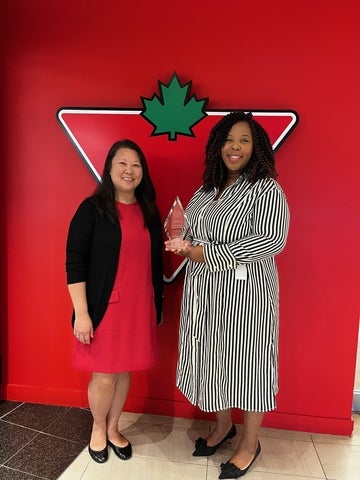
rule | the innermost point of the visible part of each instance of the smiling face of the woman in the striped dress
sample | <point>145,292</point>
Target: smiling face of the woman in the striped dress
<point>237,148</point>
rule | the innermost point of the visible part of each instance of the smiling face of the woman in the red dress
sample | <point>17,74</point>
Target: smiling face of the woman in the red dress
<point>126,174</point>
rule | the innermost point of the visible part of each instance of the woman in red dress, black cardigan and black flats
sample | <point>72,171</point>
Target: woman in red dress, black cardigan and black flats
<point>115,281</point>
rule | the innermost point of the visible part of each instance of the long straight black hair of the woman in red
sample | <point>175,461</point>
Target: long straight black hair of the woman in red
<point>104,194</point>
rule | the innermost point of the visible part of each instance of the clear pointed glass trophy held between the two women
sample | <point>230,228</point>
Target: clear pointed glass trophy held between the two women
<point>176,228</point>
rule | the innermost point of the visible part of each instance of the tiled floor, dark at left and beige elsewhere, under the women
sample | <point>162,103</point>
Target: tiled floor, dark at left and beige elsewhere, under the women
<point>42,442</point>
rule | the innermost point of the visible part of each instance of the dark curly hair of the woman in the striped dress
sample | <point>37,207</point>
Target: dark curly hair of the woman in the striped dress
<point>261,163</point>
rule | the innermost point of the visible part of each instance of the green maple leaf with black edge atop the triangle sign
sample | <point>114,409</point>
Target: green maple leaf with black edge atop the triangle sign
<point>174,112</point>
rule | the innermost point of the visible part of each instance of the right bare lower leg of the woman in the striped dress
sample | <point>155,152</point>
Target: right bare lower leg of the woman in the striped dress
<point>248,442</point>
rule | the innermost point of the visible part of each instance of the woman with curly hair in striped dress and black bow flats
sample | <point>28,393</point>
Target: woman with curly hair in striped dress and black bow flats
<point>228,342</point>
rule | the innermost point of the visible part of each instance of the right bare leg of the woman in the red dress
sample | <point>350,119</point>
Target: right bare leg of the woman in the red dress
<point>120,394</point>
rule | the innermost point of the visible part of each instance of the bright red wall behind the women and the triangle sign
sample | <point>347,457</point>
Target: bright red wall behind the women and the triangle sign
<point>262,55</point>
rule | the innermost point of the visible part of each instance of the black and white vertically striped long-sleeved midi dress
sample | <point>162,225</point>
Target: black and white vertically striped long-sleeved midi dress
<point>228,341</point>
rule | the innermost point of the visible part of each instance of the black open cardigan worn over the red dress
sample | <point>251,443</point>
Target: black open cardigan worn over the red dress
<point>92,255</point>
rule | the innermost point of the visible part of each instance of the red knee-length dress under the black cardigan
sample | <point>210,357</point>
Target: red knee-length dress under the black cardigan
<point>125,340</point>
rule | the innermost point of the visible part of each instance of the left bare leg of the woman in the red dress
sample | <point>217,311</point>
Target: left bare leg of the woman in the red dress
<point>100,394</point>
